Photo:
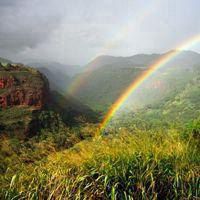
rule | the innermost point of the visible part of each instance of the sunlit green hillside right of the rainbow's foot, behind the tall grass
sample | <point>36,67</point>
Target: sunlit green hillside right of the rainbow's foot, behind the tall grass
<point>177,109</point>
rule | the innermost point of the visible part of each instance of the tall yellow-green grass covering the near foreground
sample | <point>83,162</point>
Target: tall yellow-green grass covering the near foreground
<point>125,166</point>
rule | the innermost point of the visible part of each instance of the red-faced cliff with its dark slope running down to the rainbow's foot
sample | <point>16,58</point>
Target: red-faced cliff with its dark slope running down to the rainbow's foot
<point>28,106</point>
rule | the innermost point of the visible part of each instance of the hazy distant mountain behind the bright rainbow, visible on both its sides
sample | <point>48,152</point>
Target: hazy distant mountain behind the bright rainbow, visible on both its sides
<point>110,76</point>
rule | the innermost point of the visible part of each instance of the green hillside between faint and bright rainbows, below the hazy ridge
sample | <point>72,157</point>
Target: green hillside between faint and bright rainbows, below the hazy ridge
<point>103,86</point>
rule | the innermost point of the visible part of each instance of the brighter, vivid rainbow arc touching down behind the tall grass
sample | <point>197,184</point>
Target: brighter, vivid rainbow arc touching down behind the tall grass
<point>145,75</point>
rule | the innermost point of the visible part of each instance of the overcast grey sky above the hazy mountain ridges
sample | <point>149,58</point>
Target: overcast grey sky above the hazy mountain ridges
<point>77,31</point>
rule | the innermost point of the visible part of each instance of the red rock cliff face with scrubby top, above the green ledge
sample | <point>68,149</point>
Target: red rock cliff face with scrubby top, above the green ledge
<point>23,86</point>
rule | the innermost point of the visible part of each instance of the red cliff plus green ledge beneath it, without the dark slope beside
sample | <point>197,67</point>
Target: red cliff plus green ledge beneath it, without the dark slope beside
<point>24,92</point>
